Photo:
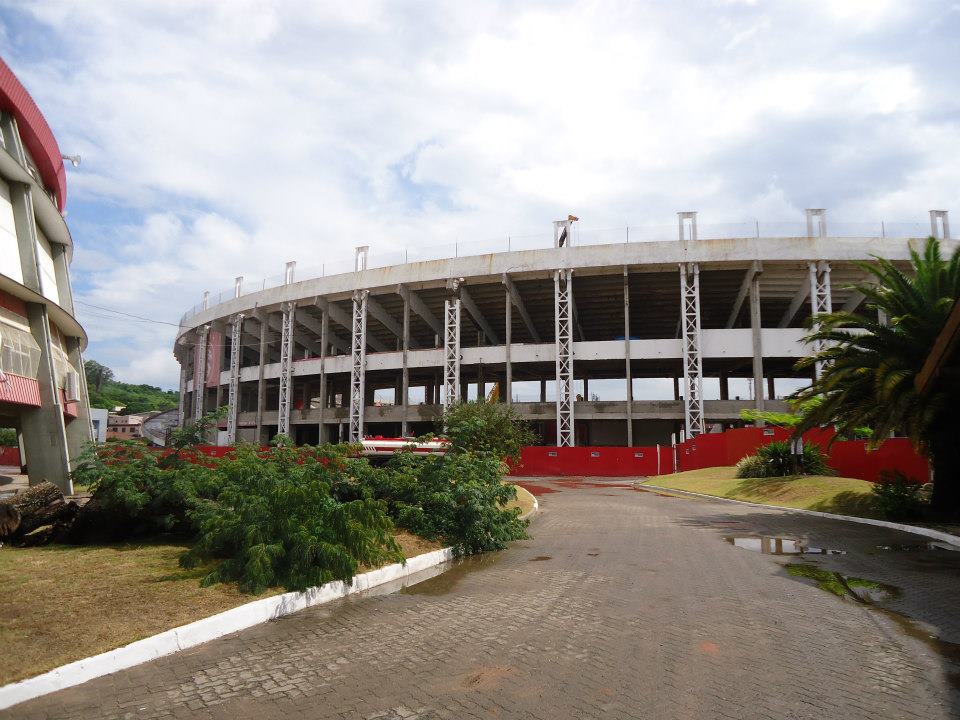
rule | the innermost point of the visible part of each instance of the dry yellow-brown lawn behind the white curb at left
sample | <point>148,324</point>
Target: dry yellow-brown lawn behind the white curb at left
<point>60,603</point>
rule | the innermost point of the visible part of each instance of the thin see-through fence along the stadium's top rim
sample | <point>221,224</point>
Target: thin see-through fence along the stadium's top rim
<point>581,237</point>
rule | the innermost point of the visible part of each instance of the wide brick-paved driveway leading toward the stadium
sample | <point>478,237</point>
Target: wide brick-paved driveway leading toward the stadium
<point>622,604</point>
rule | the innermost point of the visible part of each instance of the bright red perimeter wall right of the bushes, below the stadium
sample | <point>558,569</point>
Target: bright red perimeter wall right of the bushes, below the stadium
<point>848,458</point>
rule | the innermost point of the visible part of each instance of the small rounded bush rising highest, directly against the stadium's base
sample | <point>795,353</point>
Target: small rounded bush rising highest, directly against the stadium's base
<point>484,426</point>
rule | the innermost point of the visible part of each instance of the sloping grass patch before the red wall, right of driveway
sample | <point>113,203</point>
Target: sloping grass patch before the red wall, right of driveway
<point>845,496</point>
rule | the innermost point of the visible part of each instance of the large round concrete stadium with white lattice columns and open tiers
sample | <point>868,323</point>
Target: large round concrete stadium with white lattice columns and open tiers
<point>380,351</point>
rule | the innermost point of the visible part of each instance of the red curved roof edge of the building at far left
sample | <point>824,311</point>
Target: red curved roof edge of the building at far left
<point>36,134</point>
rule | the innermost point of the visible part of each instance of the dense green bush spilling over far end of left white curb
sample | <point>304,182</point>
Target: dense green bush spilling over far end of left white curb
<point>457,498</point>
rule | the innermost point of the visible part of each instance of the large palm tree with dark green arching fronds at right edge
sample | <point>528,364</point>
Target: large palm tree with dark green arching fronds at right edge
<point>870,362</point>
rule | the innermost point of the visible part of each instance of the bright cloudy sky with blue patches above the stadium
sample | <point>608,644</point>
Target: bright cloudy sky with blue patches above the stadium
<point>225,138</point>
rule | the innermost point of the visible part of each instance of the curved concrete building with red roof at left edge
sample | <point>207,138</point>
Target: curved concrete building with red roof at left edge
<point>43,391</point>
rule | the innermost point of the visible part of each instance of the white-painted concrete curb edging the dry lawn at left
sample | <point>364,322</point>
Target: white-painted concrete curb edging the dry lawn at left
<point>215,626</point>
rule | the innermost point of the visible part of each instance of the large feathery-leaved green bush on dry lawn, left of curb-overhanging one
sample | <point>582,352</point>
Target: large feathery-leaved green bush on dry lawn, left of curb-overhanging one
<point>276,522</point>
